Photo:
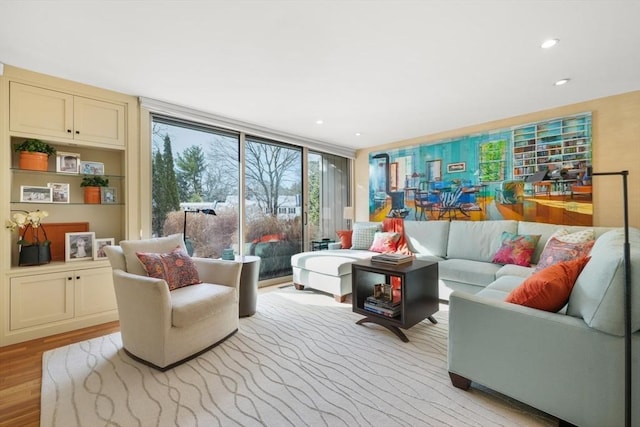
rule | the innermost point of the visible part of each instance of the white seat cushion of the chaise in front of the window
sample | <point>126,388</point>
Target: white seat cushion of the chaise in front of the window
<point>329,262</point>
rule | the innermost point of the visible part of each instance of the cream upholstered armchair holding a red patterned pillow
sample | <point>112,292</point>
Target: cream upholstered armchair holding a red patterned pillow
<point>163,328</point>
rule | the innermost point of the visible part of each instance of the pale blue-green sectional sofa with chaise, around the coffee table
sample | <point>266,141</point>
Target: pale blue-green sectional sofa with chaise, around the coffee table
<point>568,364</point>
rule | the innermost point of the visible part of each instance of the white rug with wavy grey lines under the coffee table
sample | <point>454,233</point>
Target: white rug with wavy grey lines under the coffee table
<point>299,361</point>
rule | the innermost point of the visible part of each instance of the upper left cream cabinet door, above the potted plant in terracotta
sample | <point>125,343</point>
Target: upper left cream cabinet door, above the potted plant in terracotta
<point>40,111</point>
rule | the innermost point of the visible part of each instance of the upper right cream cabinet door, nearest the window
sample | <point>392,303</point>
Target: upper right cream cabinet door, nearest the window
<point>98,121</point>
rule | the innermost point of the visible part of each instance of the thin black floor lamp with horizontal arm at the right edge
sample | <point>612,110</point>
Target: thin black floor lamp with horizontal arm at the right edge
<point>627,297</point>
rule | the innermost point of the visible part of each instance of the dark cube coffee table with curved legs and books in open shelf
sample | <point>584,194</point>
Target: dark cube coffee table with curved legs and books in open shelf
<point>418,292</point>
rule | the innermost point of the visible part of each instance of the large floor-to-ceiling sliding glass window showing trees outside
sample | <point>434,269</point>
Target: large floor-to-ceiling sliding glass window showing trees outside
<point>255,186</point>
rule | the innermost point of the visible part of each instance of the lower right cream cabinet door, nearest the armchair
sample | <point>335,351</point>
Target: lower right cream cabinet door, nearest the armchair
<point>94,291</point>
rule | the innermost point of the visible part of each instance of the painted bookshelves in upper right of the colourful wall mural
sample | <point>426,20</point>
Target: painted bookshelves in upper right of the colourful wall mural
<point>563,143</point>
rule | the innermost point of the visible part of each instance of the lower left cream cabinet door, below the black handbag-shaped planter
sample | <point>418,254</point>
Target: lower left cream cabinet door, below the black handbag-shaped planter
<point>40,299</point>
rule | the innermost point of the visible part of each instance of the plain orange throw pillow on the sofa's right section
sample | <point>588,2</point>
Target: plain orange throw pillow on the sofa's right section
<point>550,288</point>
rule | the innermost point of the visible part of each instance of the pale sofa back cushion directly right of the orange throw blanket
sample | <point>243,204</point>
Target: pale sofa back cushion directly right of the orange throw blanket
<point>427,237</point>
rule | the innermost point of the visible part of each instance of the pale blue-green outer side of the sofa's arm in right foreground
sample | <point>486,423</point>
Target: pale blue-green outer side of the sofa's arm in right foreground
<point>551,361</point>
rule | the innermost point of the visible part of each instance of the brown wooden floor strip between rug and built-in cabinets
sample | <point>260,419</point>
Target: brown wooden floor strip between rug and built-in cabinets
<point>21,373</point>
